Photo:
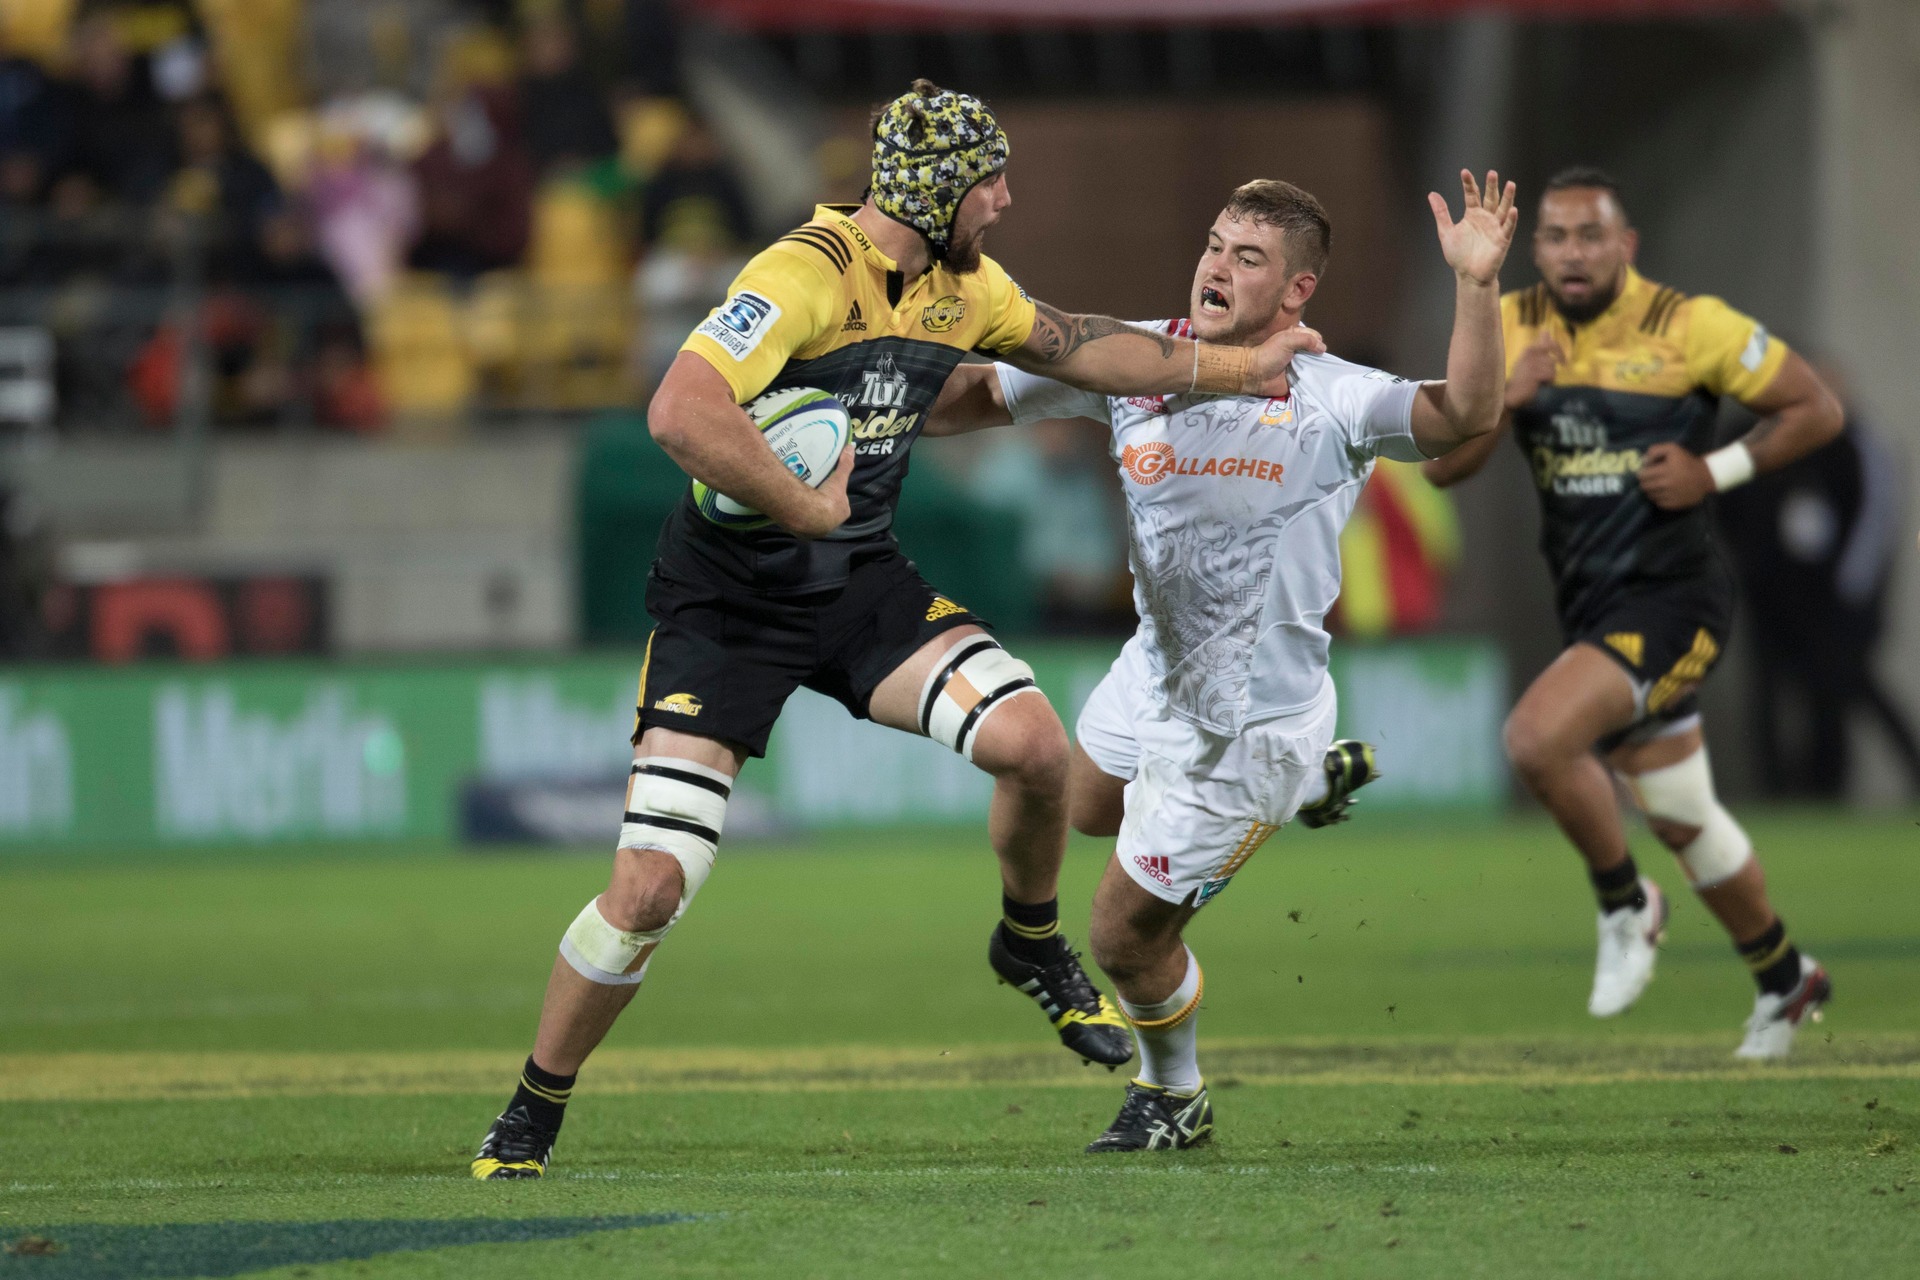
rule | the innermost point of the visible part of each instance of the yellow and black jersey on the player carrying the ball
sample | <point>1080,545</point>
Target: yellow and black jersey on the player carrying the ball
<point>825,308</point>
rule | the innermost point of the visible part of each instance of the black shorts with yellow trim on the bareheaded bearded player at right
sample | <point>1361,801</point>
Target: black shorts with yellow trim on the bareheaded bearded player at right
<point>1666,636</point>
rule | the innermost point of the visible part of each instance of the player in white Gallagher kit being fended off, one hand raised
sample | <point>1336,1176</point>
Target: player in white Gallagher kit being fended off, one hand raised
<point>1216,724</point>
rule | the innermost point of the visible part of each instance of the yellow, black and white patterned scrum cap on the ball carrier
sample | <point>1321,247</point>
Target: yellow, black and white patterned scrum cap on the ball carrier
<point>930,149</point>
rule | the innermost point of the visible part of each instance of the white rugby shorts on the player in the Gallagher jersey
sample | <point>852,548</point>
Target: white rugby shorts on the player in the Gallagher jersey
<point>1203,803</point>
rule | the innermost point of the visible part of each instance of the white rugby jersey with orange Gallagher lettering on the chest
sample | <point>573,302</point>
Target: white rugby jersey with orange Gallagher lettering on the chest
<point>1236,508</point>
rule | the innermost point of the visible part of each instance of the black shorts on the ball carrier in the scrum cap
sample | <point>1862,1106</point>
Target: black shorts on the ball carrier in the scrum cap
<point>723,661</point>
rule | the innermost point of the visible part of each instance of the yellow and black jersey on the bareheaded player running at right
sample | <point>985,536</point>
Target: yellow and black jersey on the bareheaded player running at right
<point>1650,369</point>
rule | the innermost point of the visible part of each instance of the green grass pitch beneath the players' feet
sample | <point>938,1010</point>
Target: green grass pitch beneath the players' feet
<point>283,1062</point>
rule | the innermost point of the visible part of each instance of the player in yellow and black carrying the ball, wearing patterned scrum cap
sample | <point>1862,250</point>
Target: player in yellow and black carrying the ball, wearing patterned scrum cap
<point>875,304</point>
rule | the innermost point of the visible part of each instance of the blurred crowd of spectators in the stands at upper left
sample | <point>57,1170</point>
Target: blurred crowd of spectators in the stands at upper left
<point>350,212</point>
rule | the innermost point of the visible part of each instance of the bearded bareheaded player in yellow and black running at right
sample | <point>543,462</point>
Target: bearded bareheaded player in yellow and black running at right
<point>1612,394</point>
